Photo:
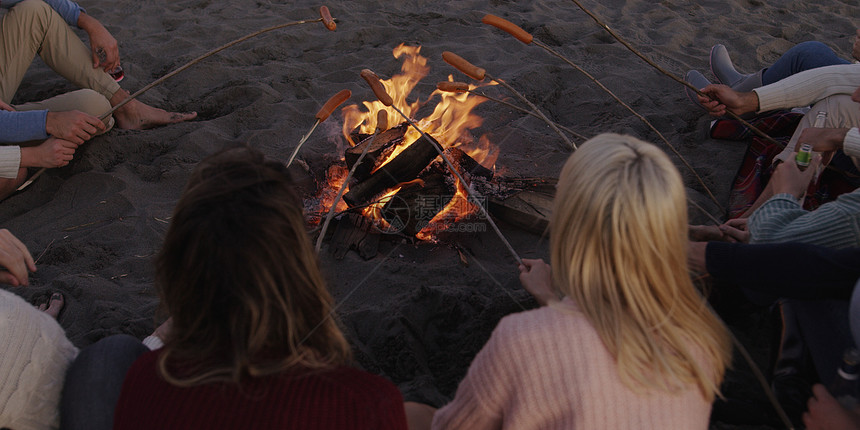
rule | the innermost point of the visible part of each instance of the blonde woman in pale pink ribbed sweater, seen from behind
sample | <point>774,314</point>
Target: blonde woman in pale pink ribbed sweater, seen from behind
<point>623,339</point>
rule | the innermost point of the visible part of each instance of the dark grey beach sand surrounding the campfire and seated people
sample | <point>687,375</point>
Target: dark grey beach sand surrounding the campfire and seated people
<point>415,313</point>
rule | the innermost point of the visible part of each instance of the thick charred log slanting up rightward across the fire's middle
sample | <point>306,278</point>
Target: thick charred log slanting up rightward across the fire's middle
<point>403,168</point>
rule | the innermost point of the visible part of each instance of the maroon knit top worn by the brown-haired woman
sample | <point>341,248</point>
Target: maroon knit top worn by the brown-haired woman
<point>342,399</point>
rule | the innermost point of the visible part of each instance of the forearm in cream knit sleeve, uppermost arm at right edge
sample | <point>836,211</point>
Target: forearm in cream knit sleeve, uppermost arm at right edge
<point>805,88</point>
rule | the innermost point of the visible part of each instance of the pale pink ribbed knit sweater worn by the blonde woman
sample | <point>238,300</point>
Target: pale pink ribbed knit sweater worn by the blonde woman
<point>548,369</point>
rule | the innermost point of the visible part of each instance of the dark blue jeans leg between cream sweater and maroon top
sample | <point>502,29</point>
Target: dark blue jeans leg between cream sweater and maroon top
<point>94,380</point>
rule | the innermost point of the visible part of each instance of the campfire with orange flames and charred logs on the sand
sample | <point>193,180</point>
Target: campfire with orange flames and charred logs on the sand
<point>401,186</point>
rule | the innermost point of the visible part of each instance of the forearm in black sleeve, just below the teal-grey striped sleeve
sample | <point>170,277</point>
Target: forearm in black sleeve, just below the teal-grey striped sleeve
<point>791,270</point>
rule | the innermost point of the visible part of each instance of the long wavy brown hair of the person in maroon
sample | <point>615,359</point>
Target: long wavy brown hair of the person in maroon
<point>239,276</point>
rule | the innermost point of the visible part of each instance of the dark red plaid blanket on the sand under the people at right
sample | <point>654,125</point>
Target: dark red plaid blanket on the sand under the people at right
<point>840,177</point>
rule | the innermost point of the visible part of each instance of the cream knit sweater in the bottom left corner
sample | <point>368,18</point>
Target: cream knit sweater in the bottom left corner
<point>33,359</point>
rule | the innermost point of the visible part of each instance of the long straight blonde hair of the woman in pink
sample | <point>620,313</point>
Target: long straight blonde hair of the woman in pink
<point>618,247</point>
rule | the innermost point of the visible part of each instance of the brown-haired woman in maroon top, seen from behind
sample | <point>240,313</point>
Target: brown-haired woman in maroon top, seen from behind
<point>254,341</point>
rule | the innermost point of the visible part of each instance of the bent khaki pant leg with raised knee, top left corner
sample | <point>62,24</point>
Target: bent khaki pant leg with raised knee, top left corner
<point>32,27</point>
